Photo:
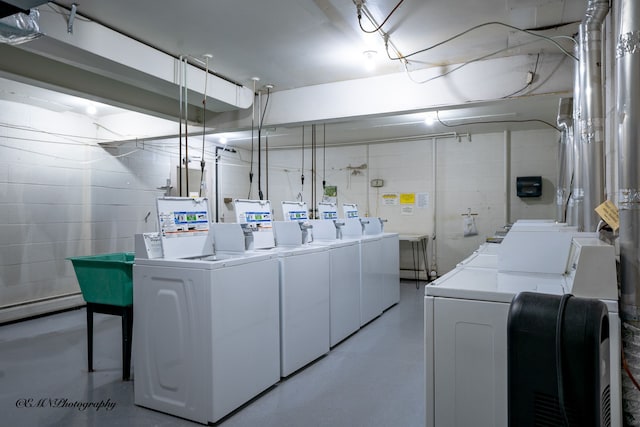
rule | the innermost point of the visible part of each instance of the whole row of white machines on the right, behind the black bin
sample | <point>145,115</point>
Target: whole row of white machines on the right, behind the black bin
<point>466,313</point>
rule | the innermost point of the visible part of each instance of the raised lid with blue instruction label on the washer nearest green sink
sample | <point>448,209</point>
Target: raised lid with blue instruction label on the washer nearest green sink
<point>184,226</point>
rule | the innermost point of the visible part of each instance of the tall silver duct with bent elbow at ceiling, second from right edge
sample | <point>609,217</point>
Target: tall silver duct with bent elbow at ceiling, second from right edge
<point>592,120</point>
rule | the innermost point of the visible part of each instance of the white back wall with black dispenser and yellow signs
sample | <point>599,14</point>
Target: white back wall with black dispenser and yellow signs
<point>471,175</point>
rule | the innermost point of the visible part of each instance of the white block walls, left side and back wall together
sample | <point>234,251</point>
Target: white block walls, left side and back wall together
<point>64,195</point>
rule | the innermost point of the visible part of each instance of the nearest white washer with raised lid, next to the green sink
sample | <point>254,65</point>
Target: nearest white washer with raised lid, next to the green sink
<point>206,327</point>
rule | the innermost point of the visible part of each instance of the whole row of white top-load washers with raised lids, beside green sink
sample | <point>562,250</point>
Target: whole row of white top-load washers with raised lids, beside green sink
<point>217,327</point>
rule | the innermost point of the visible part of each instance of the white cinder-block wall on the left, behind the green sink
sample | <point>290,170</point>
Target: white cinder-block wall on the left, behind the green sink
<point>62,194</point>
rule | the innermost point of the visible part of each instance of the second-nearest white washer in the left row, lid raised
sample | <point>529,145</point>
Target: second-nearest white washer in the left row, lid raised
<point>303,287</point>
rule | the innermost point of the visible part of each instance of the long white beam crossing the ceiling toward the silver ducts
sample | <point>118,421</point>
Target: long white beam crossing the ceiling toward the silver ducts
<point>484,81</point>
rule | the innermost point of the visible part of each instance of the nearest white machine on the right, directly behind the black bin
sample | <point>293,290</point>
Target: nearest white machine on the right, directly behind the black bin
<point>466,313</point>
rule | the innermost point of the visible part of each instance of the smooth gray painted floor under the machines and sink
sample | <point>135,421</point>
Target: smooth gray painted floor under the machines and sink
<point>373,378</point>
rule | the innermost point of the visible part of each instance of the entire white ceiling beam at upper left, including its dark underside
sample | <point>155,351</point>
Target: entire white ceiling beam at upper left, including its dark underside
<point>99,63</point>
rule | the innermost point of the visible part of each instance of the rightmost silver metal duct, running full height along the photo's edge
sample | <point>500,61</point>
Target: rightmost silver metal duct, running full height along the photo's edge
<point>628,108</point>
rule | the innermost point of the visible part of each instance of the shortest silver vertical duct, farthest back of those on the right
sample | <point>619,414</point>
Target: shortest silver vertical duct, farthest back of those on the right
<point>565,156</point>
